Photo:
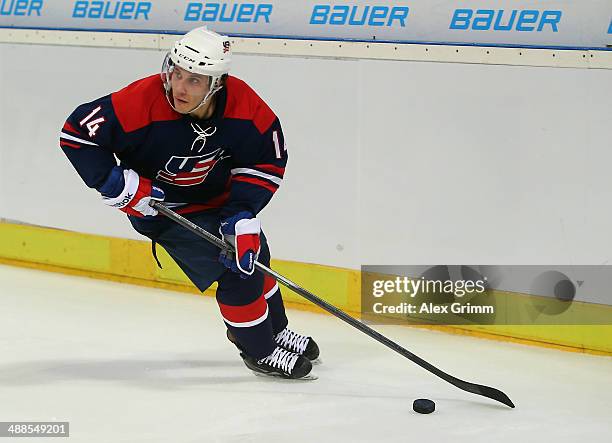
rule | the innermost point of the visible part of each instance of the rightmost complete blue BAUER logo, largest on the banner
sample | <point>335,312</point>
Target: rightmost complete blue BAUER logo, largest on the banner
<point>527,20</point>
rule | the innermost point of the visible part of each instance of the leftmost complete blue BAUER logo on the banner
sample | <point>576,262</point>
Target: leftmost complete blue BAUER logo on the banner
<point>112,10</point>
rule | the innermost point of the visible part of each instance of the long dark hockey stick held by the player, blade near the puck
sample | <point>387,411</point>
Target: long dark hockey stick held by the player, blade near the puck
<point>486,391</point>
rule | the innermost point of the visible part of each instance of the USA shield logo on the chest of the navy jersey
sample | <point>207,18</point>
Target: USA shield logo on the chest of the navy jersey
<point>189,171</point>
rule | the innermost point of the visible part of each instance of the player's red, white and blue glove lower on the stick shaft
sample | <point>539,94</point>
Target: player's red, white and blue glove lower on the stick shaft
<point>241,231</point>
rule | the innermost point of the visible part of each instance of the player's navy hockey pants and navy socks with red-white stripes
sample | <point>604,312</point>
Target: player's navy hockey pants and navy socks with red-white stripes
<point>252,308</point>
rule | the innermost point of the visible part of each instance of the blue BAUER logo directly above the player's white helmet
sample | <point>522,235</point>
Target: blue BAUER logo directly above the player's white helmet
<point>228,12</point>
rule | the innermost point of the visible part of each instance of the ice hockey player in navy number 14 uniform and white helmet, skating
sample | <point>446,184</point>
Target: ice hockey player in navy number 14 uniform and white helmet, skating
<point>208,146</point>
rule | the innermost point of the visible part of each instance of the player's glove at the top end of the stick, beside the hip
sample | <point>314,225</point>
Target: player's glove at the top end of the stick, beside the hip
<point>127,191</point>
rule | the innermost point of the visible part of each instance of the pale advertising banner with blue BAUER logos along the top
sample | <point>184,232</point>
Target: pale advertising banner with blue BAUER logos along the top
<point>544,23</point>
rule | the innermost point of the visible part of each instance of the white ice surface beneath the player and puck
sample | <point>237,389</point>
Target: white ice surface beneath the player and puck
<point>125,363</point>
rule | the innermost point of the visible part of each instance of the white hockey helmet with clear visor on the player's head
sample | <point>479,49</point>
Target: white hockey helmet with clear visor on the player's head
<point>200,51</point>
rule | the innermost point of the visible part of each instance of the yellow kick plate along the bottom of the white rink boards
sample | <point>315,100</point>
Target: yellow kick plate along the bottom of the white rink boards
<point>130,261</point>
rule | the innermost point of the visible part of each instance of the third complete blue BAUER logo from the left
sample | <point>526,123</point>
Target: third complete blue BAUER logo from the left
<point>359,15</point>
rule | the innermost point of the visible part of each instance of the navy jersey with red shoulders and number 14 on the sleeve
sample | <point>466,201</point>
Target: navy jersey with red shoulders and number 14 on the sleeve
<point>234,161</point>
